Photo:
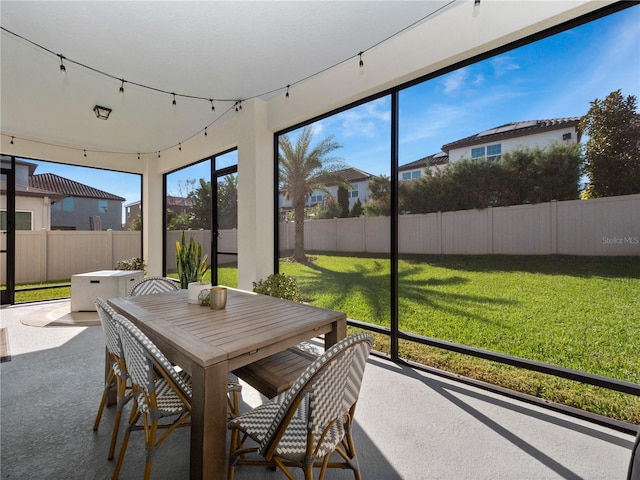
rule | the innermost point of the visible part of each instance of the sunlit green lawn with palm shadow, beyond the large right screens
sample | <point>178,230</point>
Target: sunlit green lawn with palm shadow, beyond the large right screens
<point>577,312</point>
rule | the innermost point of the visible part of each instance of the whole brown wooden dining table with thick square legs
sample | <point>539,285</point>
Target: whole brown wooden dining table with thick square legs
<point>209,344</point>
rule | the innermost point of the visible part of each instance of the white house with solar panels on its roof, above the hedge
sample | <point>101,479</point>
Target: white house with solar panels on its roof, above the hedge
<point>493,143</point>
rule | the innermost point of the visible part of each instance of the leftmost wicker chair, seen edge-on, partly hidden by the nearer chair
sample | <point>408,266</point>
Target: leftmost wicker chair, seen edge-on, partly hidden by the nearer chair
<point>117,373</point>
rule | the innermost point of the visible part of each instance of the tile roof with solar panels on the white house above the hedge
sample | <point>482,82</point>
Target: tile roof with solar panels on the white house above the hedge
<point>512,130</point>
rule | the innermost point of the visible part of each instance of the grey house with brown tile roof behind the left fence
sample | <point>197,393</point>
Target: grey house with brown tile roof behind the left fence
<point>82,207</point>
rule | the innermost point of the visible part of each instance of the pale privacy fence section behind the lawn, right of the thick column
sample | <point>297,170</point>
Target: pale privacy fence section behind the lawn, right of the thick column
<point>603,226</point>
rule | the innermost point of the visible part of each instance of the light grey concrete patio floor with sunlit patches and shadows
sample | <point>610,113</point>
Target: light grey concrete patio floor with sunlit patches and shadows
<point>409,424</point>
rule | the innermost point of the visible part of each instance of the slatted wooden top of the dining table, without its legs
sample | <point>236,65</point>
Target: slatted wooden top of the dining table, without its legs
<point>248,323</point>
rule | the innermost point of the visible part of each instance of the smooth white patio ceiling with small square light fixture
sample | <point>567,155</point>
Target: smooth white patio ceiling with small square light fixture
<point>213,49</point>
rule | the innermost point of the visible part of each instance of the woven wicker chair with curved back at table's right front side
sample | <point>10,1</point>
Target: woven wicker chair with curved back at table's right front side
<point>305,425</point>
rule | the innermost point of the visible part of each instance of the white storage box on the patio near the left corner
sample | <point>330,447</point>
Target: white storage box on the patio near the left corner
<point>85,287</point>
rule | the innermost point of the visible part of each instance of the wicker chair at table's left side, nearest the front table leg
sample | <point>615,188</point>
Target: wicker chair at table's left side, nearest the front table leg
<point>159,391</point>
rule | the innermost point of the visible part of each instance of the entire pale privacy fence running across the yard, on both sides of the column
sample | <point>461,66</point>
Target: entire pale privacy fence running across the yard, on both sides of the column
<point>604,226</point>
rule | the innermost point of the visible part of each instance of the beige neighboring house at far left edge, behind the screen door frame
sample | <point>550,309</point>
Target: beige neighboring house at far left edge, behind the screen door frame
<point>33,204</point>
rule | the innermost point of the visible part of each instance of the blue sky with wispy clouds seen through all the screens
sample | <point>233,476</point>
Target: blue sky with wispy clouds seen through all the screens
<point>555,77</point>
